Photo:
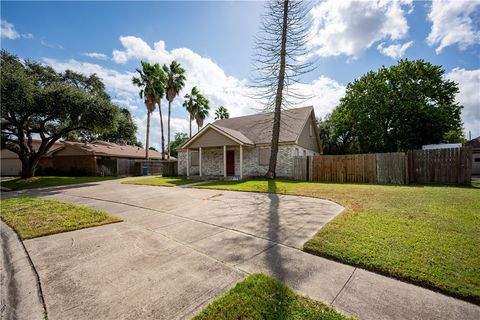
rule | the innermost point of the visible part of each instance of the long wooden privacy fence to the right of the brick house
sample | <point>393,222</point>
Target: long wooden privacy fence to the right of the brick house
<point>417,166</point>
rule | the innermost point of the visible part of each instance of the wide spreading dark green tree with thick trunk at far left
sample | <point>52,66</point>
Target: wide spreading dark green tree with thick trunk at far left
<point>38,102</point>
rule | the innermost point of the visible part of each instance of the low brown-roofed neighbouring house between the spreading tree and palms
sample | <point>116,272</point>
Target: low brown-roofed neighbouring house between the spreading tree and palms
<point>86,158</point>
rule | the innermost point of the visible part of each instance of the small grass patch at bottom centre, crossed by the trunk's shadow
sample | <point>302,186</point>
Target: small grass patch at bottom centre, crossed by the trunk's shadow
<point>262,297</point>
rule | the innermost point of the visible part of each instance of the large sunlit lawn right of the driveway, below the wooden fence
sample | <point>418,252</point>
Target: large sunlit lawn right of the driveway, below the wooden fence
<point>428,235</point>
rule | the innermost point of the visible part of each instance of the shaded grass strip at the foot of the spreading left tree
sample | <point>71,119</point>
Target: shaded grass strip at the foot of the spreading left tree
<point>48,181</point>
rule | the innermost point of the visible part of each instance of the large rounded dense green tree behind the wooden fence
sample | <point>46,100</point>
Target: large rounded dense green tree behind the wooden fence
<point>398,108</point>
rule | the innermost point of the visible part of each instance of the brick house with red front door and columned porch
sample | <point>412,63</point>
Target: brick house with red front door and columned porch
<point>240,146</point>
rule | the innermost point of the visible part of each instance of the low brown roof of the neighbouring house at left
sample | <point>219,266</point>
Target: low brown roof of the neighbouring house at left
<point>110,149</point>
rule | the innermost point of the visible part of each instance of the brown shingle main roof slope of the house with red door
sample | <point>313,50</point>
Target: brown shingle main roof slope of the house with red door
<point>257,128</point>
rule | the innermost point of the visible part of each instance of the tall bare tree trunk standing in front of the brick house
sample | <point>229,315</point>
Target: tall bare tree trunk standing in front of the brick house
<point>278,98</point>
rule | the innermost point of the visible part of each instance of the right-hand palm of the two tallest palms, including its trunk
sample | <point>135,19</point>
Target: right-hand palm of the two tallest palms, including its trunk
<point>174,84</point>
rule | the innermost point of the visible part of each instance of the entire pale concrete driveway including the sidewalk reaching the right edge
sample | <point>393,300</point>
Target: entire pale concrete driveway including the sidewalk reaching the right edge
<point>180,248</point>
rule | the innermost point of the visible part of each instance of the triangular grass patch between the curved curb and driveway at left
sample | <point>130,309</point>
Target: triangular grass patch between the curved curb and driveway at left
<point>35,217</point>
